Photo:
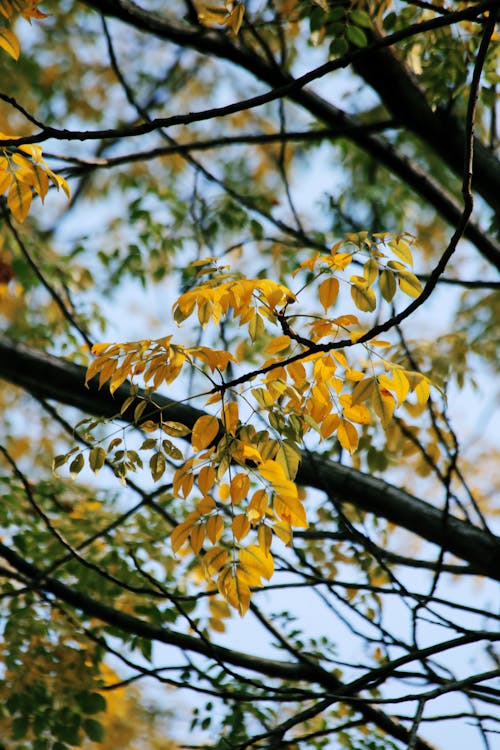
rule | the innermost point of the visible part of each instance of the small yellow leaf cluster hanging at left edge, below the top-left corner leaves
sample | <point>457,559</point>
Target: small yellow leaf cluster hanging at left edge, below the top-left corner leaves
<point>22,171</point>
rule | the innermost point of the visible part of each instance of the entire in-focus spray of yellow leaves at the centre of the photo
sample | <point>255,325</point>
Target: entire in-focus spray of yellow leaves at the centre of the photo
<point>240,482</point>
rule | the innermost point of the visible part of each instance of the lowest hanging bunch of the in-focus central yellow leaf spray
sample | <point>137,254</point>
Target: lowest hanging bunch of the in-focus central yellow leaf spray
<point>228,504</point>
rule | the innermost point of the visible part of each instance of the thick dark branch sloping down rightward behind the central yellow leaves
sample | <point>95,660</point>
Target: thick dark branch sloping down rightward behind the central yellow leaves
<point>46,376</point>
